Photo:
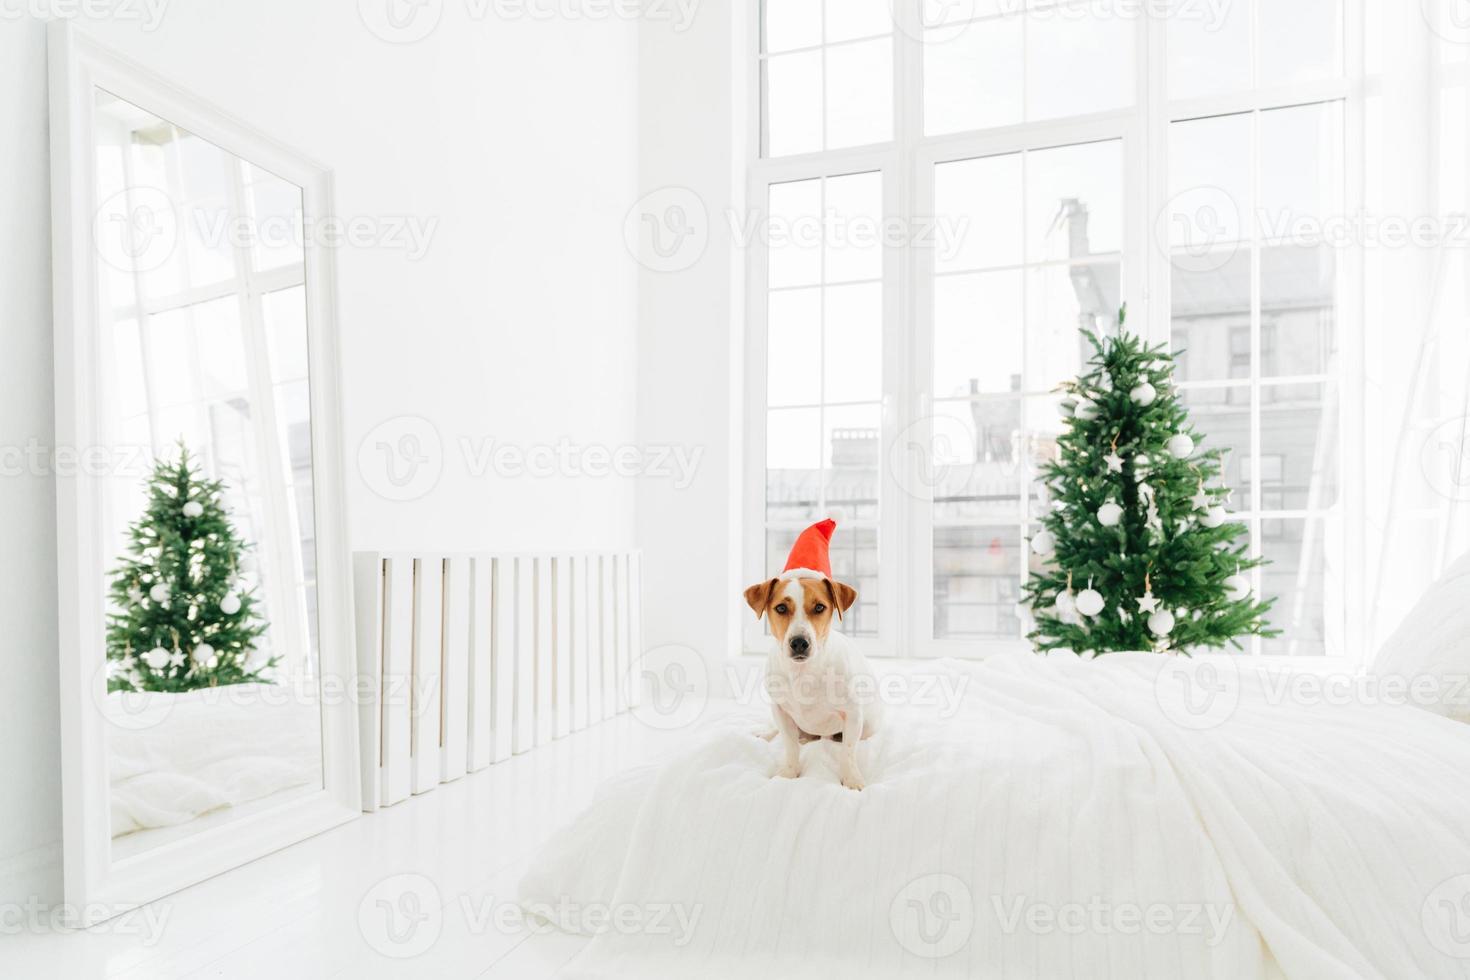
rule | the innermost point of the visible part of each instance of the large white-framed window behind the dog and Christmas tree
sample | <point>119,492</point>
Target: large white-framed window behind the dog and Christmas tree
<point>1025,168</point>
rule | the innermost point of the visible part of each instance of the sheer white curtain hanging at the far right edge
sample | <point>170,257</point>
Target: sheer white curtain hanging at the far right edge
<point>1416,253</point>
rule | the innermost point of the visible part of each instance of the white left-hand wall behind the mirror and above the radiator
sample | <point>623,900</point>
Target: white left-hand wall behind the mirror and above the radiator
<point>520,324</point>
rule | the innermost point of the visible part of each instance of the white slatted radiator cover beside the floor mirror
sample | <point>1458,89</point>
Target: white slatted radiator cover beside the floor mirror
<point>468,659</point>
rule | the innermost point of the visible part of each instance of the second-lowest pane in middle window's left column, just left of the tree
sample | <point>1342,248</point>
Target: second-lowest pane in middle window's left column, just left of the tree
<point>974,461</point>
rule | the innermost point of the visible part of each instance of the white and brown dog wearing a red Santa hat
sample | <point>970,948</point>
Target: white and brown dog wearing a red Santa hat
<point>820,684</point>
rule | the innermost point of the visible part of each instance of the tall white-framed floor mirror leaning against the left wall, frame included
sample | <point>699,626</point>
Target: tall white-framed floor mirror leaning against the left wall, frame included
<point>204,577</point>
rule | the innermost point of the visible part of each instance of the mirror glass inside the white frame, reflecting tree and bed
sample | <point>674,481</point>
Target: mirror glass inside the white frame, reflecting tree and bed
<point>209,547</point>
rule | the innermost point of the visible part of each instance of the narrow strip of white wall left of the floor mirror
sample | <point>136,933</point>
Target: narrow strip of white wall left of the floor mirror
<point>32,804</point>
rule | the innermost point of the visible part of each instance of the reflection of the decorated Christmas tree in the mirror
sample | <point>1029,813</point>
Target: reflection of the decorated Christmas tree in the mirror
<point>182,619</point>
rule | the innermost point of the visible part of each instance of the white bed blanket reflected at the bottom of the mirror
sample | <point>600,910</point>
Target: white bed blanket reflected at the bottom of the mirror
<point>174,757</point>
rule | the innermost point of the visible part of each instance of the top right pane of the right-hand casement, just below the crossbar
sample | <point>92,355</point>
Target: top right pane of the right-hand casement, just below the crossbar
<point>1302,168</point>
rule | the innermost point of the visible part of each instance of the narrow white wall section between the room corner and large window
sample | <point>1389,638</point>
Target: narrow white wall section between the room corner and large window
<point>690,311</point>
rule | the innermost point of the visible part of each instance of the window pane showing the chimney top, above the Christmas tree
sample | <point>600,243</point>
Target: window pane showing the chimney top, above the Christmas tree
<point>1075,202</point>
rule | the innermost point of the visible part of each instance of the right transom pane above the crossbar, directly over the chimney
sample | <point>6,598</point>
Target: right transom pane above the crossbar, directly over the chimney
<point>1078,61</point>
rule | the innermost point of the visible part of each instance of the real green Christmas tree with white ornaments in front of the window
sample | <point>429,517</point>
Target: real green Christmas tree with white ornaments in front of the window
<point>1139,549</point>
